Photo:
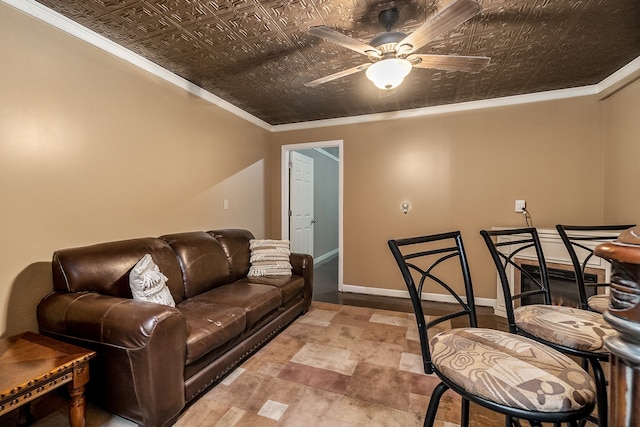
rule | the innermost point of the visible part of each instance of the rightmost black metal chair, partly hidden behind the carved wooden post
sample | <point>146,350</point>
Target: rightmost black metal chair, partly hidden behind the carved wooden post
<point>580,241</point>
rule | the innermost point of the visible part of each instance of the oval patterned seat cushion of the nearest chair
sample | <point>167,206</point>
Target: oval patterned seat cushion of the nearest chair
<point>511,370</point>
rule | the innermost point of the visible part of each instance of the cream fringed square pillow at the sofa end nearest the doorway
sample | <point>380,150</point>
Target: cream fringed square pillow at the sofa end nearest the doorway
<point>269,258</point>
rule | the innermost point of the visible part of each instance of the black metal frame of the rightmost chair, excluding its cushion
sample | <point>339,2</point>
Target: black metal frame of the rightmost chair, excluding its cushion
<point>574,237</point>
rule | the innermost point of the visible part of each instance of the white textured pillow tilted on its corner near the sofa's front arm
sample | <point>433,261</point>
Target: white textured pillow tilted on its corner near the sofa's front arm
<point>149,284</point>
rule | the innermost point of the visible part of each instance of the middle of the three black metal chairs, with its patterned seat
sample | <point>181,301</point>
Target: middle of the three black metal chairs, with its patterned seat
<point>570,330</point>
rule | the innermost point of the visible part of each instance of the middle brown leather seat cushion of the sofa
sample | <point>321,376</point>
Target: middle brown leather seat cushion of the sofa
<point>256,300</point>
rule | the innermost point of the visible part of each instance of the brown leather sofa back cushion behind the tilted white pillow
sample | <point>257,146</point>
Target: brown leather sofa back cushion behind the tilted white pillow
<point>104,268</point>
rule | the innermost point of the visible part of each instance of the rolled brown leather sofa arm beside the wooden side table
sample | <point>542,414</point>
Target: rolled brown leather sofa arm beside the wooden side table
<point>138,372</point>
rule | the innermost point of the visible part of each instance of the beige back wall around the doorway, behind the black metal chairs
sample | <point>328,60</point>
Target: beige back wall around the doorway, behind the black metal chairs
<point>461,171</point>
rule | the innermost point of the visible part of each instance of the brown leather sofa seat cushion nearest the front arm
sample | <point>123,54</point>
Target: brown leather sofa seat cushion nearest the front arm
<point>209,325</point>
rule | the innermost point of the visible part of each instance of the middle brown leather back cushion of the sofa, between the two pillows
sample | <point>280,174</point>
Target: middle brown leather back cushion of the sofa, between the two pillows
<point>203,261</point>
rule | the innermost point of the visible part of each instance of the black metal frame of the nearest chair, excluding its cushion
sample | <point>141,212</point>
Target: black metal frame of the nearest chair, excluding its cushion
<point>451,248</point>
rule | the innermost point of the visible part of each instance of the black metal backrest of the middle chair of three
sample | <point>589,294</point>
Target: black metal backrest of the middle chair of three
<point>510,250</point>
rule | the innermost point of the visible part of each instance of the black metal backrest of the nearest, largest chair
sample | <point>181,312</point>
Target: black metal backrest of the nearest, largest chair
<point>430,260</point>
